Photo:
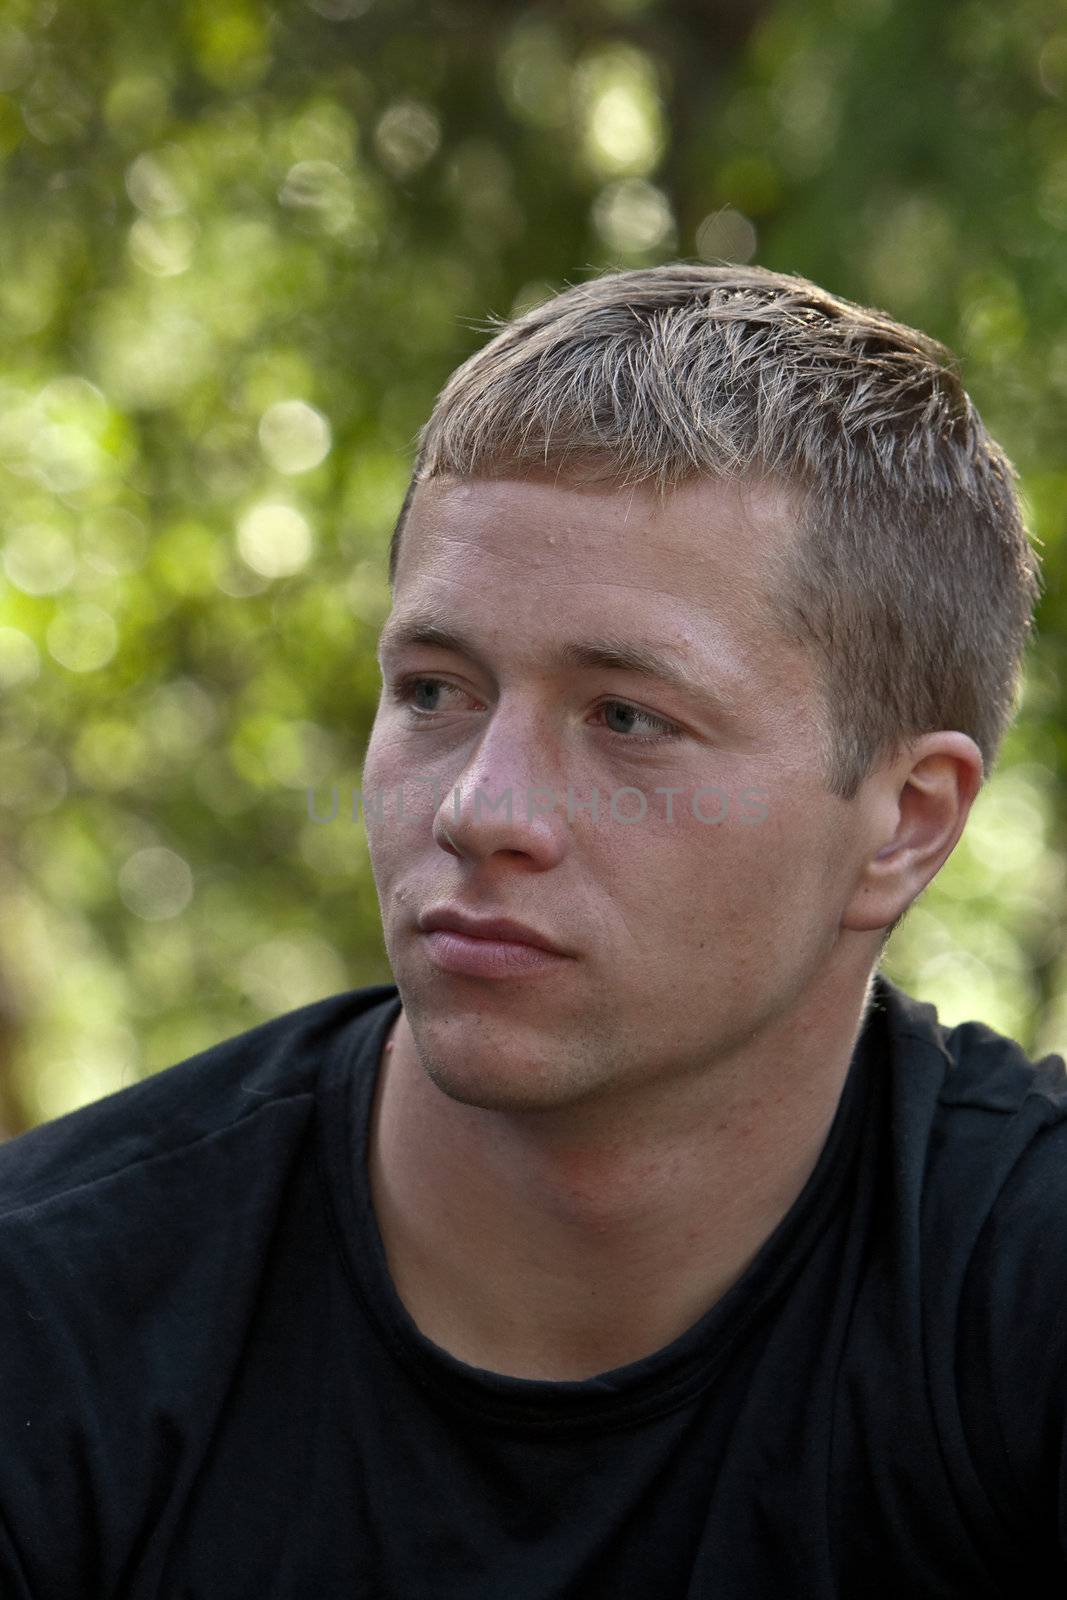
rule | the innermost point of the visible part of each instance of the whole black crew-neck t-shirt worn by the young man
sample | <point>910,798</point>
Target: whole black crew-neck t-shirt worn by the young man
<point>212,1391</point>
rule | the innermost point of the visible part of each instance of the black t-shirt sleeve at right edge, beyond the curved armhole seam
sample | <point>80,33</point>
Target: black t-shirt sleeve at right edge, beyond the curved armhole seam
<point>1012,1351</point>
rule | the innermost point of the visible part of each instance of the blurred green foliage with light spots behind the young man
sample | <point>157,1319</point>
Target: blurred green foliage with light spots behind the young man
<point>242,246</point>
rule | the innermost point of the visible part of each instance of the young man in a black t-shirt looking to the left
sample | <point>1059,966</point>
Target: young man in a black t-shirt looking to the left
<point>644,1241</point>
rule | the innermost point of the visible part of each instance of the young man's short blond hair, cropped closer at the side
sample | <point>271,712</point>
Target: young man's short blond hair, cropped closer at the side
<point>913,580</point>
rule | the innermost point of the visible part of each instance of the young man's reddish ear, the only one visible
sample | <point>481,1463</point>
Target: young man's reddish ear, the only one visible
<point>919,806</point>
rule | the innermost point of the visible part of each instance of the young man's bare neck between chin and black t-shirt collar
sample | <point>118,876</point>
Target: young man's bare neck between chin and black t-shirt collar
<point>551,1250</point>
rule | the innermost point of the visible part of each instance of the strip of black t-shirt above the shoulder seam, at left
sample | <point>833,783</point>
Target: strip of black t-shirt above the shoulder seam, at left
<point>249,1076</point>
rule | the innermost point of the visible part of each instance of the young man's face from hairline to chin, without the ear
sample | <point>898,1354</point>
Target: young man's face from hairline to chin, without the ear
<point>689,921</point>
